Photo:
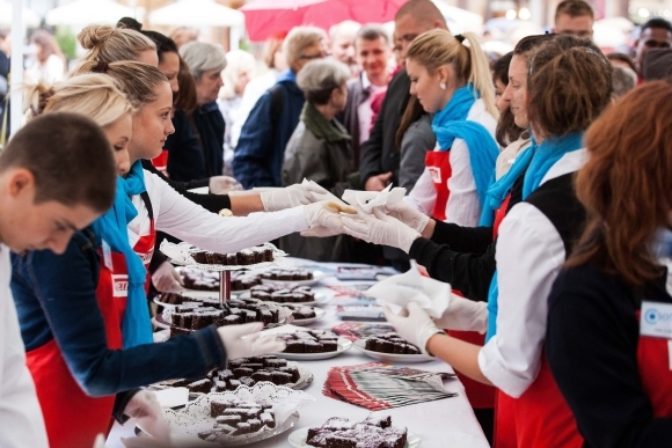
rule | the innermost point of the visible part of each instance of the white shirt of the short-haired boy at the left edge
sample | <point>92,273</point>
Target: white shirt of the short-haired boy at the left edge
<point>21,422</point>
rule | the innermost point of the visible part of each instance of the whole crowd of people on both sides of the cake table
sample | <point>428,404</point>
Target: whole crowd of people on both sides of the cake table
<point>537,185</point>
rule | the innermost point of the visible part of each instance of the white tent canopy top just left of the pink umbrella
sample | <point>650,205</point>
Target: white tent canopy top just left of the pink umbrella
<point>196,13</point>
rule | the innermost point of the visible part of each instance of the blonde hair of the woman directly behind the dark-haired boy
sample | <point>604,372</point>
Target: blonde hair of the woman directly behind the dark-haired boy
<point>94,95</point>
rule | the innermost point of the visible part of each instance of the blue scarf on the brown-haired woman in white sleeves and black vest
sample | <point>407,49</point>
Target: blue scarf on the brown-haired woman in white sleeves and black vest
<point>535,161</point>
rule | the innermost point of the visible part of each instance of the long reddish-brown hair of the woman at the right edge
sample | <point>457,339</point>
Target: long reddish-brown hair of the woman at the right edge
<point>626,186</point>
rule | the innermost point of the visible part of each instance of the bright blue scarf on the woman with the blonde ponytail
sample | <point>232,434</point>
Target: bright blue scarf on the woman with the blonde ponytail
<point>451,122</point>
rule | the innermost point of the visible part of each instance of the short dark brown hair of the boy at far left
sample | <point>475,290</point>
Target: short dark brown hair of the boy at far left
<point>70,158</point>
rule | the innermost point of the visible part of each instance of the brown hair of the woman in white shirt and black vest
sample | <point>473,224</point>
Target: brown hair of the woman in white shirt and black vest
<point>569,84</point>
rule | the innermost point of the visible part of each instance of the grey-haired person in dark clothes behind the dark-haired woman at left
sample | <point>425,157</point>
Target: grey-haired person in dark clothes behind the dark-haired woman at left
<point>206,62</point>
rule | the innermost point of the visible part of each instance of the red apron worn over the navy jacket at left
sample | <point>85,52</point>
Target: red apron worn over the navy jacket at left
<point>72,418</point>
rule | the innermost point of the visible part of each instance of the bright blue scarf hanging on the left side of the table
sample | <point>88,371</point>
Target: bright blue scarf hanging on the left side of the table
<point>112,228</point>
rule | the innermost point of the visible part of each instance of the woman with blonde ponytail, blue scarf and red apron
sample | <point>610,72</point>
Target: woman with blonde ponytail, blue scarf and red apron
<point>451,79</point>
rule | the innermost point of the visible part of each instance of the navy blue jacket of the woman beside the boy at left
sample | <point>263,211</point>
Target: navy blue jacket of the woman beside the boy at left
<point>55,298</point>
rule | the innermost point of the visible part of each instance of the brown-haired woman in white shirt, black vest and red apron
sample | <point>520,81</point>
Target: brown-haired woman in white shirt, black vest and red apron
<point>569,84</point>
